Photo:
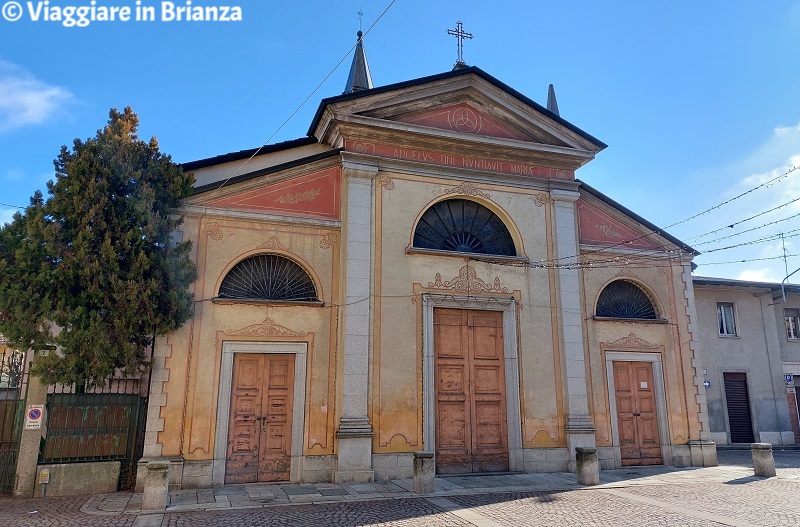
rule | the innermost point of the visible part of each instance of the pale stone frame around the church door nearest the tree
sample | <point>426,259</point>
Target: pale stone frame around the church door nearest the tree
<point>229,349</point>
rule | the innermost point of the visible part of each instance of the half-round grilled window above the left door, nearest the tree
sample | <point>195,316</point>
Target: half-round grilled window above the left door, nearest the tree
<point>268,277</point>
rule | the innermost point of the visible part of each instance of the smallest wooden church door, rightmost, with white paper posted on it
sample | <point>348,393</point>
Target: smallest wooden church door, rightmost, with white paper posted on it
<point>639,441</point>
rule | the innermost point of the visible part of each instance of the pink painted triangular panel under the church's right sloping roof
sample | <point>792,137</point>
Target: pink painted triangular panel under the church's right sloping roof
<point>599,228</point>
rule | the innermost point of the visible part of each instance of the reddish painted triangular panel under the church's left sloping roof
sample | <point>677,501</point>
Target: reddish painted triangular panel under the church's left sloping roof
<point>316,195</point>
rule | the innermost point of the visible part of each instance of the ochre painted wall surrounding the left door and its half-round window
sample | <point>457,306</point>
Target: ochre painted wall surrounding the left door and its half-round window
<point>219,243</point>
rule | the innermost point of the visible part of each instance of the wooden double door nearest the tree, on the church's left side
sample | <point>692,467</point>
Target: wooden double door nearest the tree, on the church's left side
<point>260,429</point>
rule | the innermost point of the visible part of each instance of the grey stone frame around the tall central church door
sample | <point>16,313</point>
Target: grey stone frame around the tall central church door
<point>508,307</point>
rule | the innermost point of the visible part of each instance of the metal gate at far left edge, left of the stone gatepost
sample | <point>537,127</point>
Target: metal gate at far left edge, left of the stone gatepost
<point>13,377</point>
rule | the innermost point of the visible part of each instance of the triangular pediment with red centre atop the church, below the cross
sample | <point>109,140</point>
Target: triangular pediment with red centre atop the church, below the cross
<point>468,106</point>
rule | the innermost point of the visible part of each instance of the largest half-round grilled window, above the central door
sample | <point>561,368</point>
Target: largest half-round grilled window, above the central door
<point>463,226</point>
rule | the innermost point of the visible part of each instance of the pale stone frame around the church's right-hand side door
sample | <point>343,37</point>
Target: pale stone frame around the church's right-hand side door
<point>661,400</point>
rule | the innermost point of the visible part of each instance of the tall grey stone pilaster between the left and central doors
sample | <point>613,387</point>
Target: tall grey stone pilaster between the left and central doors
<point>354,460</point>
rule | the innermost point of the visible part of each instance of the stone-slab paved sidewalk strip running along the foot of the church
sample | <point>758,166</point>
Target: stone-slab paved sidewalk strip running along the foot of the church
<point>259,495</point>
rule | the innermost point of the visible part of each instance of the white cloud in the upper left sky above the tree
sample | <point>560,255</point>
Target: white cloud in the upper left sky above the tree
<point>26,100</point>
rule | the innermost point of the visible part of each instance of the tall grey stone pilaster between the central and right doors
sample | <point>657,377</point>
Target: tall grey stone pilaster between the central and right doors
<point>579,427</point>
